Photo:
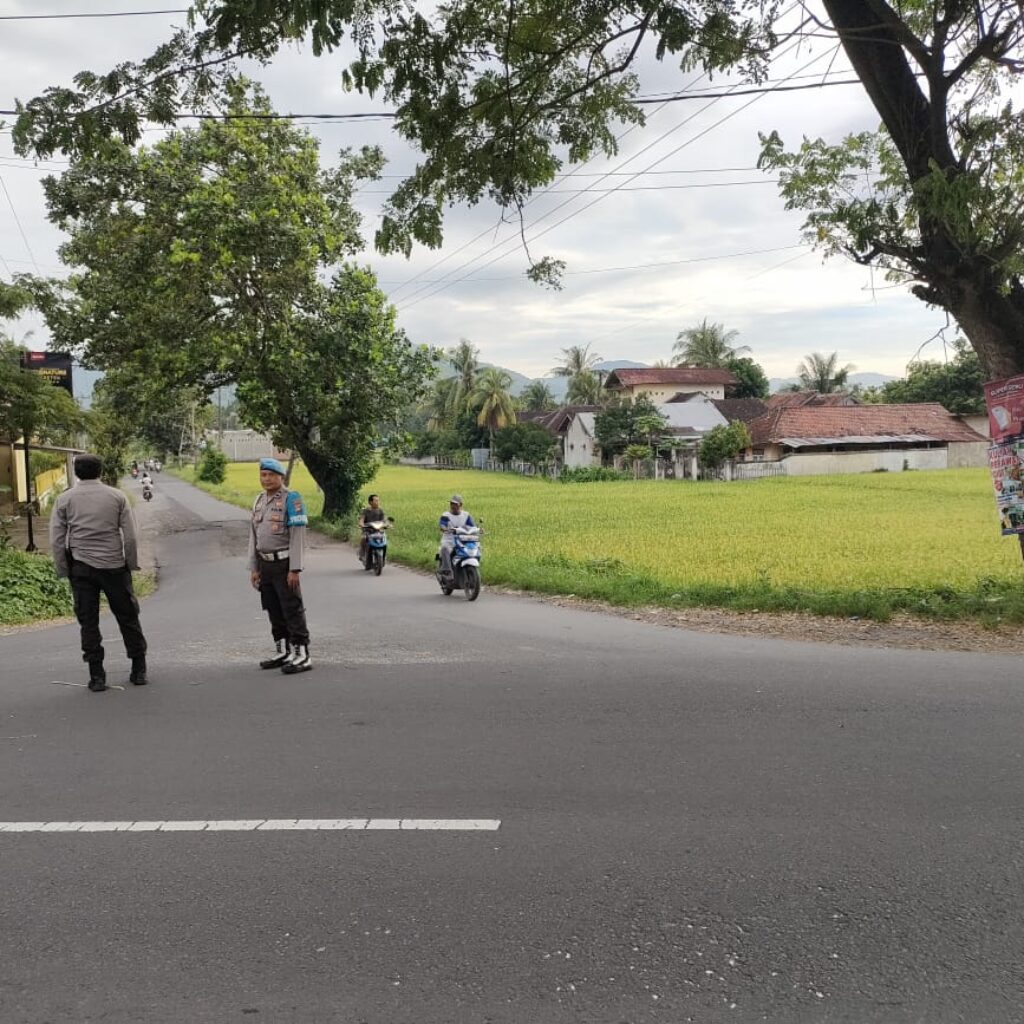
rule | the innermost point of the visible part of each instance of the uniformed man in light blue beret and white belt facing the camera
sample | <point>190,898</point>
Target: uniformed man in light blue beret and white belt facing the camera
<point>277,542</point>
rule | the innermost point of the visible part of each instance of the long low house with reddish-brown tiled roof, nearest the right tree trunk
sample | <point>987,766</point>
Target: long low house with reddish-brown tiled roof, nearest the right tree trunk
<point>814,440</point>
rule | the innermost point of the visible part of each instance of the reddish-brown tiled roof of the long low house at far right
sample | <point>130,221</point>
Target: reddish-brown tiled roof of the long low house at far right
<point>861,424</point>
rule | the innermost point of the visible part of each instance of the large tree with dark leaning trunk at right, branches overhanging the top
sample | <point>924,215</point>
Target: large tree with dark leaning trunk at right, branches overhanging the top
<point>498,96</point>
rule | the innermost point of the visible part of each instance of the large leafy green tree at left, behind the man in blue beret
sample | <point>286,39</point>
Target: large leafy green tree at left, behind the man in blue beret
<point>202,261</point>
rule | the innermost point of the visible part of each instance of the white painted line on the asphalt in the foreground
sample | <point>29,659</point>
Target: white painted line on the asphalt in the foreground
<point>263,825</point>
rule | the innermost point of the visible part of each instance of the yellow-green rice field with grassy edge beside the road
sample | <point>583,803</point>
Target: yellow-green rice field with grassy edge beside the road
<point>925,543</point>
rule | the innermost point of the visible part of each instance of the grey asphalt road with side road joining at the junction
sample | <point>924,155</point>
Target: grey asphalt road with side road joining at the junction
<point>694,828</point>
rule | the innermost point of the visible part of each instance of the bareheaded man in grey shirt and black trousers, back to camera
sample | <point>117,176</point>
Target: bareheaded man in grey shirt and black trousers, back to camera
<point>93,540</point>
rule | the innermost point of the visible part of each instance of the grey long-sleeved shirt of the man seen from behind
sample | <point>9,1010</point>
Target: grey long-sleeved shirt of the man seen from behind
<point>96,524</point>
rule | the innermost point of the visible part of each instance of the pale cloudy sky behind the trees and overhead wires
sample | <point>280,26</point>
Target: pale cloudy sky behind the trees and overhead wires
<point>677,228</point>
